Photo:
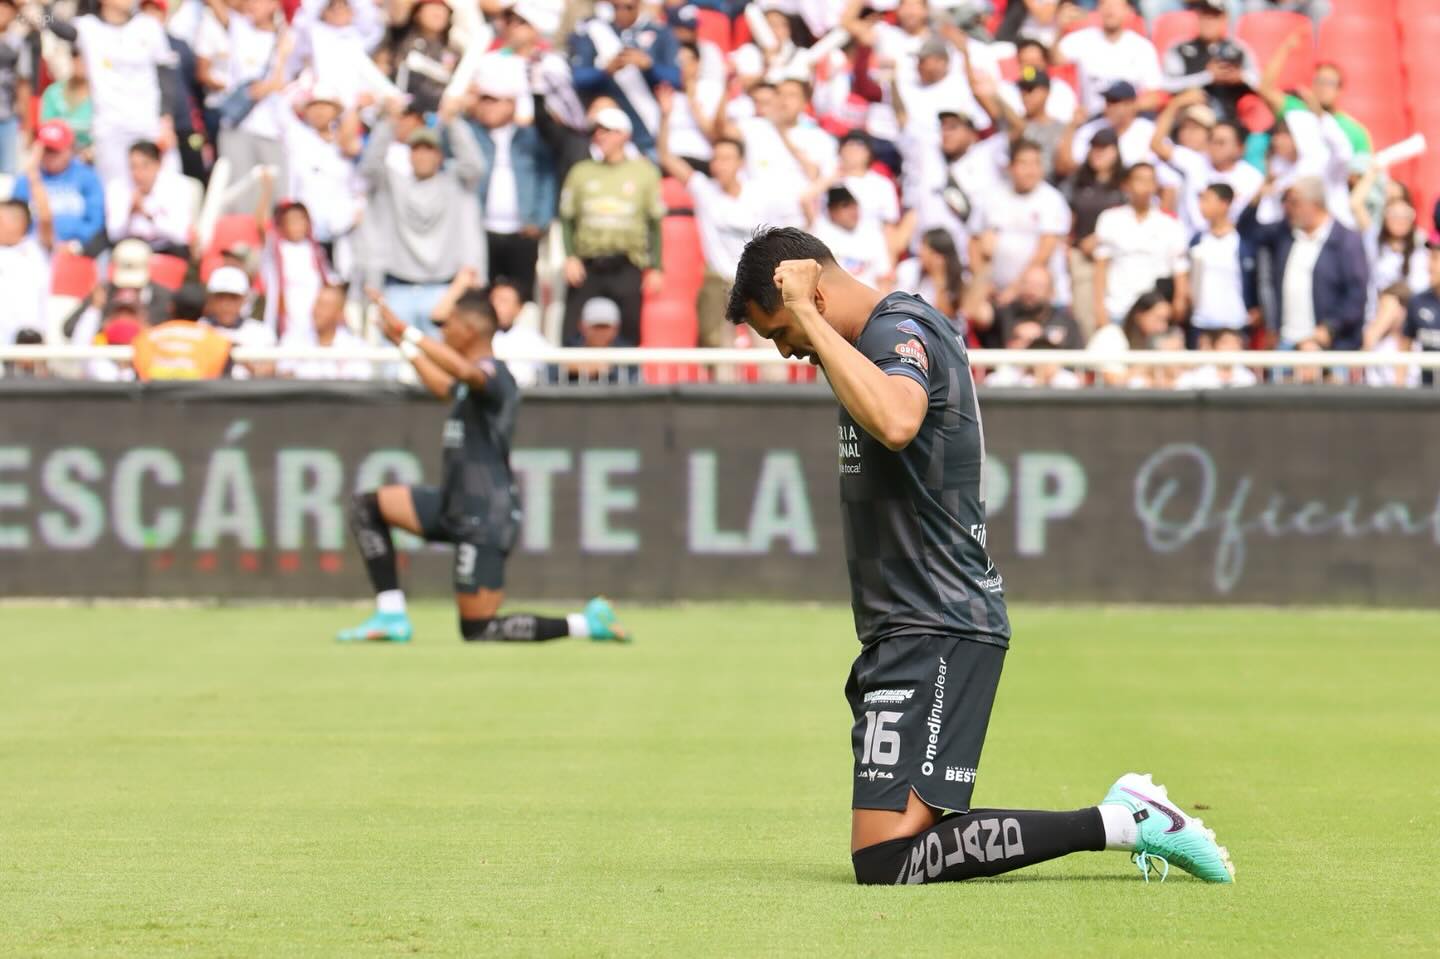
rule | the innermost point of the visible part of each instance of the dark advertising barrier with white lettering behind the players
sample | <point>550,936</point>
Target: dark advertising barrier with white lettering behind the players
<point>240,490</point>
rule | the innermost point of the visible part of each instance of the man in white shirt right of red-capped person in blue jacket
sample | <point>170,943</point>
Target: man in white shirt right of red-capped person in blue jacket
<point>150,204</point>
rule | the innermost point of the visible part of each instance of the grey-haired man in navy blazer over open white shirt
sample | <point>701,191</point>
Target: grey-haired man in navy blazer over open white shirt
<point>1318,271</point>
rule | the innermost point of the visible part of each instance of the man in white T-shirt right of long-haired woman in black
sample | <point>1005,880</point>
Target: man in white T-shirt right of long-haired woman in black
<point>1138,248</point>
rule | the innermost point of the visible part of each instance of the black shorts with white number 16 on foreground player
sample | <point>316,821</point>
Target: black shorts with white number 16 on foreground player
<point>921,706</point>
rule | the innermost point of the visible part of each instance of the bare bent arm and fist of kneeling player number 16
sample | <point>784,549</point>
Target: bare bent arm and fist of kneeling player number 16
<point>889,408</point>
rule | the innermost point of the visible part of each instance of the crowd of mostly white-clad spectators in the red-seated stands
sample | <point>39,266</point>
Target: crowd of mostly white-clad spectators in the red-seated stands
<point>1048,174</point>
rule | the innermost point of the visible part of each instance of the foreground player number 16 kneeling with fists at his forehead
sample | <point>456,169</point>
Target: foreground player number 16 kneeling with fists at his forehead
<point>928,601</point>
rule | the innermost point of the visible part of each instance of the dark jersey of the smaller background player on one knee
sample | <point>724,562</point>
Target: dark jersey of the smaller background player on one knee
<point>479,490</point>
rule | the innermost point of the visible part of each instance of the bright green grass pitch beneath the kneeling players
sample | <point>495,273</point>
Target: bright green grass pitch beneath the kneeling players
<point>230,783</point>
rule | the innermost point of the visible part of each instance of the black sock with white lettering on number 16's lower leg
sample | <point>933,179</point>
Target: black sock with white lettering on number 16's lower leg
<point>980,843</point>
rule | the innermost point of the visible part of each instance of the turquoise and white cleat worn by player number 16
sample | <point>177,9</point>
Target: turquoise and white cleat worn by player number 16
<point>1167,836</point>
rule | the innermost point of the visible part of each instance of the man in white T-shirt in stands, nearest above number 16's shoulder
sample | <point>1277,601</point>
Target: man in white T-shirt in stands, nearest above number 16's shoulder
<point>1023,225</point>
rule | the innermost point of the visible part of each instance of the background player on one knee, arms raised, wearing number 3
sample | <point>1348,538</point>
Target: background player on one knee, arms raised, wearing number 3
<point>477,508</point>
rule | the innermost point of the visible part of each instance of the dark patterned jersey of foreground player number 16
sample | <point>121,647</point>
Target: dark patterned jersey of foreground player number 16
<point>915,519</point>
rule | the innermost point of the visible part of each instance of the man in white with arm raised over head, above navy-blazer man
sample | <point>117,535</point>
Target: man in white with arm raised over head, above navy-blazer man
<point>1222,162</point>
